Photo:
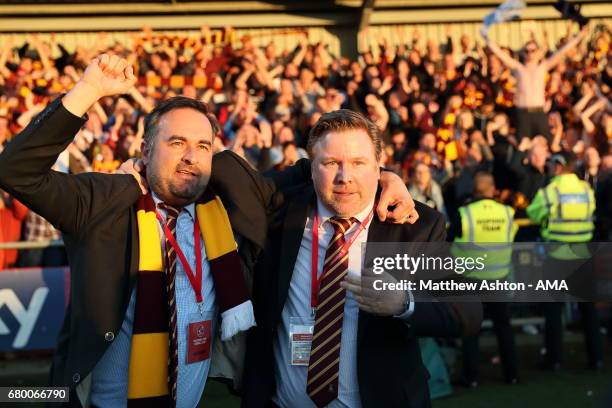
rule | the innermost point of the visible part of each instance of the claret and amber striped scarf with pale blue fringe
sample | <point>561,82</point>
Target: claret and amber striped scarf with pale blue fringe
<point>148,369</point>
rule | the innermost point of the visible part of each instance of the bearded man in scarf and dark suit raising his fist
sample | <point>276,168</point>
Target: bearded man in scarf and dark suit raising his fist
<point>150,274</point>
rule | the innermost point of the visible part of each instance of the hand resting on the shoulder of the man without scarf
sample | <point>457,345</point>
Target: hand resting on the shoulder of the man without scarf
<point>394,193</point>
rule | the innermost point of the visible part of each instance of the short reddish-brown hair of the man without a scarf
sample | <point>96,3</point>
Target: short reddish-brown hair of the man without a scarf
<point>343,120</point>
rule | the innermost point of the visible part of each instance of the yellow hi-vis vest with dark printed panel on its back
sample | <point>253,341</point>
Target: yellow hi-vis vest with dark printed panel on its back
<point>487,231</point>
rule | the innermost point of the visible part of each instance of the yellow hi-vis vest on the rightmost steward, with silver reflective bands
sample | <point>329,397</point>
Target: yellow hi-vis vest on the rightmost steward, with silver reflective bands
<point>571,205</point>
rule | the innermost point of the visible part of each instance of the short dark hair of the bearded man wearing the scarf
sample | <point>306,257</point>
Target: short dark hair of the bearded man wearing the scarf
<point>178,102</point>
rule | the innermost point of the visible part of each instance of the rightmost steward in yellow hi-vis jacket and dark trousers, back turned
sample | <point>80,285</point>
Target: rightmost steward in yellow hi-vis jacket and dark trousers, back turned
<point>565,209</point>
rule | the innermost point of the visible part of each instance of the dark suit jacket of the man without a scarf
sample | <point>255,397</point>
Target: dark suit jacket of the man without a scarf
<point>389,367</point>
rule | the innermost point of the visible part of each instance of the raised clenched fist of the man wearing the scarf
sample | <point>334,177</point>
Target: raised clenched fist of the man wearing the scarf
<point>105,76</point>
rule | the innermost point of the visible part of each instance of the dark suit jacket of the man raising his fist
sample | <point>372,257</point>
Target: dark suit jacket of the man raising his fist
<point>95,213</point>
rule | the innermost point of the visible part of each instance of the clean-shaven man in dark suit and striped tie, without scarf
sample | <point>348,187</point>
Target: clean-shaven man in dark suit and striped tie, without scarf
<point>320,339</point>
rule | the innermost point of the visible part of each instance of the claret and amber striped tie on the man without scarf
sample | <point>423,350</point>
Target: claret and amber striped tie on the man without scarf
<point>324,364</point>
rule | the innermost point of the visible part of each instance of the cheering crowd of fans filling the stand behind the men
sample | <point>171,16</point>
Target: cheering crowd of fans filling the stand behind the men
<point>445,110</point>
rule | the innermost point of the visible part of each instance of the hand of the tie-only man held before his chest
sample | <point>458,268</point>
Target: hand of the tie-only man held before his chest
<point>376,302</point>
